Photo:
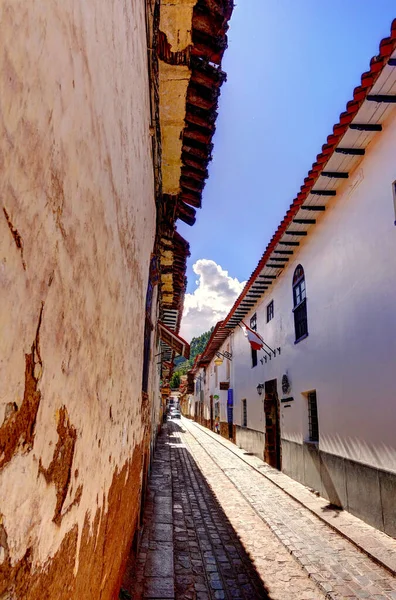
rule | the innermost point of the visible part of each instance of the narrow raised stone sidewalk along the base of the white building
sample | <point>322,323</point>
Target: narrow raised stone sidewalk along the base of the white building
<point>378,546</point>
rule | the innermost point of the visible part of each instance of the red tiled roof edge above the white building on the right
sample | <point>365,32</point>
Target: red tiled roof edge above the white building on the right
<point>377,63</point>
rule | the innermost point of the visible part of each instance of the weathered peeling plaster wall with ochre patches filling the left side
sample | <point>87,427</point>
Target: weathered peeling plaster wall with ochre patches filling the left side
<point>77,223</point>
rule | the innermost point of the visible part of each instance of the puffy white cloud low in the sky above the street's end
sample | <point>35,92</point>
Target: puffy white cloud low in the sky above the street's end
<point>215,294</point>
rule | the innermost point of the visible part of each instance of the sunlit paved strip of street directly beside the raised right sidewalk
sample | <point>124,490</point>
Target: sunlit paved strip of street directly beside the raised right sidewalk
<point>337,566</point>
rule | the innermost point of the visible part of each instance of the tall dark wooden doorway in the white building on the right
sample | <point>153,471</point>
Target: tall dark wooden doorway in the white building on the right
<point>272,449</point>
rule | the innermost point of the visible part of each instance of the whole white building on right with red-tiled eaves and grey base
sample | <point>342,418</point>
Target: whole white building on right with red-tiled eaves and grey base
<point>318,400</point>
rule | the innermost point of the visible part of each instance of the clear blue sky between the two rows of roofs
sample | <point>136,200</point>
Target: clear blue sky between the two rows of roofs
<point>291,68</point>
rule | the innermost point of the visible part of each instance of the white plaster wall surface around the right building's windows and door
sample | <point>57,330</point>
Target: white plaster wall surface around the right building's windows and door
<point>349,357</point>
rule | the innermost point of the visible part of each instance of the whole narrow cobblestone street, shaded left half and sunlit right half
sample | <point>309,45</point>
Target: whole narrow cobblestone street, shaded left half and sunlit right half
<point>215,528</point>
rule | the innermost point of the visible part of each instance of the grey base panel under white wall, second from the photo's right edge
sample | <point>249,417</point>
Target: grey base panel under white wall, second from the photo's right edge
<point>363,491</point>
